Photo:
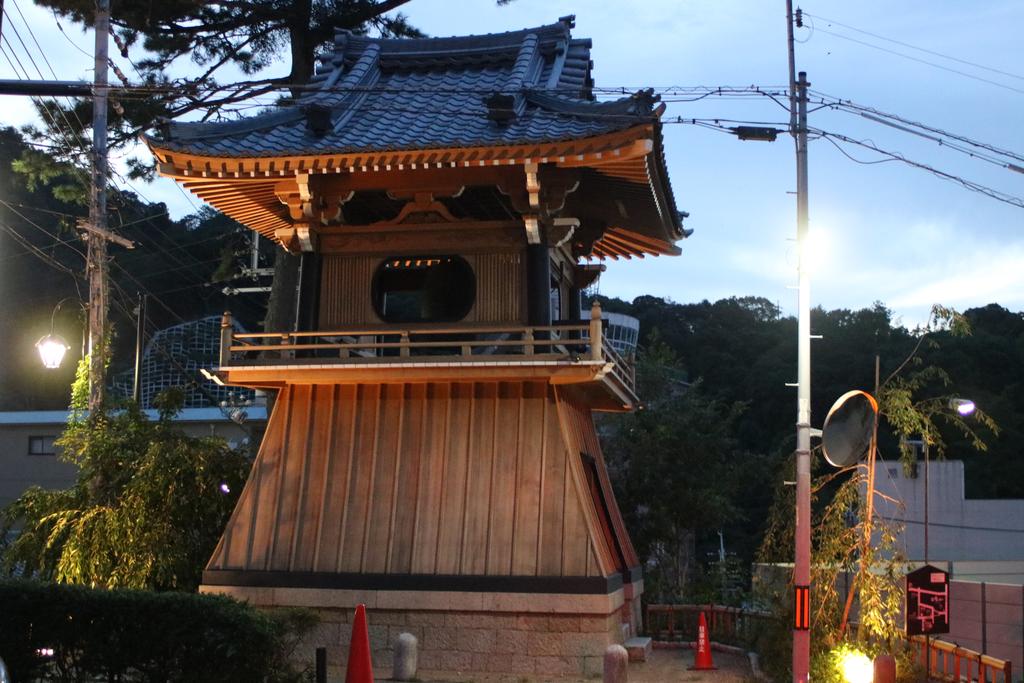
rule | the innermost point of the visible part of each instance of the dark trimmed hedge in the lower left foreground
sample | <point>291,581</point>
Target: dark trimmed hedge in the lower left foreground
<point>143,636</point>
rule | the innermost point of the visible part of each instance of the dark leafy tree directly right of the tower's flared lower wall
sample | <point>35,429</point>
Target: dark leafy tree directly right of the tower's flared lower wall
<point>677,468</point>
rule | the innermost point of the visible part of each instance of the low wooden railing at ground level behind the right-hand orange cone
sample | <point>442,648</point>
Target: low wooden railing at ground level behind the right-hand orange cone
<point>730,626</point>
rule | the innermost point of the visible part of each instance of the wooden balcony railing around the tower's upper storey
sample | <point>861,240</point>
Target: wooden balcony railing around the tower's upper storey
<point>573,341</point>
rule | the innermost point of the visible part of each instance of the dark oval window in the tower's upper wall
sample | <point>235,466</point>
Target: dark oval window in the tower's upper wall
<point>423,289</point>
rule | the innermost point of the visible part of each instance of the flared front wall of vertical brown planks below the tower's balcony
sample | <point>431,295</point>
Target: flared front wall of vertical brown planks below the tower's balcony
<point>463,479</point>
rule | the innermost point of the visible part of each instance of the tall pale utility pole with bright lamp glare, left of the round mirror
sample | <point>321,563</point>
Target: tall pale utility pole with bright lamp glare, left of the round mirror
<point>802,564</point>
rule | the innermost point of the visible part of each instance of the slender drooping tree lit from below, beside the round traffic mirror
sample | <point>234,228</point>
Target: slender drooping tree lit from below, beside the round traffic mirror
<point>848,537</point>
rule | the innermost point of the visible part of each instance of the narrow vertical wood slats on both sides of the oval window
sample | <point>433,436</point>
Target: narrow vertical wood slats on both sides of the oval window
<point>347,289</point>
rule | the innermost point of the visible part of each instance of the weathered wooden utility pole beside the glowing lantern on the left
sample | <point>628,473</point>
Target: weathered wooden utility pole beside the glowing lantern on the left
<point>97,258</point>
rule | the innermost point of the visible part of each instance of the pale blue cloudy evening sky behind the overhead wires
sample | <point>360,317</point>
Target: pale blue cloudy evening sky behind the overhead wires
<point>887,232</point>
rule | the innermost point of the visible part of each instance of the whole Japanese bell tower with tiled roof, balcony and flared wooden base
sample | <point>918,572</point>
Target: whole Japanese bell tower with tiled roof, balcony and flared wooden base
<point>432,452</point>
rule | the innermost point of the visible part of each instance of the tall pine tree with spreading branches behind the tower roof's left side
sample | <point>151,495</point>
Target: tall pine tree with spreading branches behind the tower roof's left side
<point>246,36</point>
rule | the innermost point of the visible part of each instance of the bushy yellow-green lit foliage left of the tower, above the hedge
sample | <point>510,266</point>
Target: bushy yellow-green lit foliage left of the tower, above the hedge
<point>146,511</point>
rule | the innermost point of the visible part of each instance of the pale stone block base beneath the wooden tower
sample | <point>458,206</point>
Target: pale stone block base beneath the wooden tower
<point>460,633</point>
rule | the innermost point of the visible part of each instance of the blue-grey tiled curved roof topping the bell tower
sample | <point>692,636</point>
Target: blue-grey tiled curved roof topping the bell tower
<point>375,95</point>
